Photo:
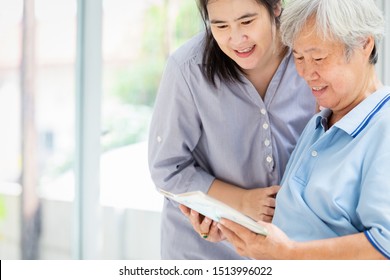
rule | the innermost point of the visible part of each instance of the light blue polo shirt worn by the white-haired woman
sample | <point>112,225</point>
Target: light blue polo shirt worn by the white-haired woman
<point>337,181</point>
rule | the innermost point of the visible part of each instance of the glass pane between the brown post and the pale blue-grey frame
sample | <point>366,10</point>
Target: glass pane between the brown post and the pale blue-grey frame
<point>55,117</point>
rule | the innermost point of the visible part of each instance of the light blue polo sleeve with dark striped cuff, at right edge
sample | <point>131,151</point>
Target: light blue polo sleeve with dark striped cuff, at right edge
<point>374,203</point>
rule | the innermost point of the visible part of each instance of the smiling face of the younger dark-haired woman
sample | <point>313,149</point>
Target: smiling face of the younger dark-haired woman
<point>243,30</point>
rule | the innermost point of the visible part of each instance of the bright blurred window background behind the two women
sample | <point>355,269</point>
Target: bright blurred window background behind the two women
<point>78,79</point>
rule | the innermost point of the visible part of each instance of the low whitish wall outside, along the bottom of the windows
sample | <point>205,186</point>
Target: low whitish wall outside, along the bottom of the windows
<point>126,233</point>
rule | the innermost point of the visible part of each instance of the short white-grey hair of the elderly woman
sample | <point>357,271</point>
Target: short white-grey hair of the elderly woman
<point>350,22</point>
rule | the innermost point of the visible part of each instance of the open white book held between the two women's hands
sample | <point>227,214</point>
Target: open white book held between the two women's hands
<point>214,209</point>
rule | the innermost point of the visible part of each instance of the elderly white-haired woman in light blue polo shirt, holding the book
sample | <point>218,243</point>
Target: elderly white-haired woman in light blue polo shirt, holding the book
<point>335,197</point>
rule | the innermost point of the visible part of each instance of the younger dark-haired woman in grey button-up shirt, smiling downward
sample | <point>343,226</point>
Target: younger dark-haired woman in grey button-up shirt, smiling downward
<point>228,113</point>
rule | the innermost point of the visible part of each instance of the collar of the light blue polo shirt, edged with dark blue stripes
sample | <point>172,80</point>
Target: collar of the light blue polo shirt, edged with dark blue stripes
<point>357,119</point>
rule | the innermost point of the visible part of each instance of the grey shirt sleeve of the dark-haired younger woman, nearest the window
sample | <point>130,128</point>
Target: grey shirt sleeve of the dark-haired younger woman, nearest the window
<point>174,132</point>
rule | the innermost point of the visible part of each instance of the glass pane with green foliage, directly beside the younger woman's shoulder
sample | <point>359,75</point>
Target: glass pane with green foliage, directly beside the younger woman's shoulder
<point>138,37</point>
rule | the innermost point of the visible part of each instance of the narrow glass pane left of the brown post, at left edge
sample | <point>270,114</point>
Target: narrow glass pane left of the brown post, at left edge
<point>10,30</point>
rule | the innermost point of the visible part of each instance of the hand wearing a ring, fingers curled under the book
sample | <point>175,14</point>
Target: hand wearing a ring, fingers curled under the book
<point>206,227</point>
